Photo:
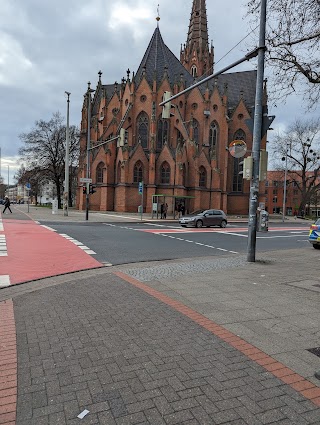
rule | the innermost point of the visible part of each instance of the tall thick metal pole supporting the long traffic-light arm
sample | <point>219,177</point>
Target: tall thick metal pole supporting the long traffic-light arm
<point>254,188</point>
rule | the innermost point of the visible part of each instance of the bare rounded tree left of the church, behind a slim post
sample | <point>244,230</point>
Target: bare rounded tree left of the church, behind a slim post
<point>44,149</point>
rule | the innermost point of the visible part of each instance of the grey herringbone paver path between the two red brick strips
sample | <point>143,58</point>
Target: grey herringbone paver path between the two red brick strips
<point>104,345</point>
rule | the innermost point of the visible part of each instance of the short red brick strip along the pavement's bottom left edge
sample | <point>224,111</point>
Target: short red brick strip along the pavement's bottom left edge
<point>8,364</point>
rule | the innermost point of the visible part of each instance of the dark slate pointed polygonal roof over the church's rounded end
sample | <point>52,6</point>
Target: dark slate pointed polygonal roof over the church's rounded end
<point>158,58</point>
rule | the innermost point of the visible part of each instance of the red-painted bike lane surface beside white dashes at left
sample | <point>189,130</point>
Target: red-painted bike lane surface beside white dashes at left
<point>35,252</point>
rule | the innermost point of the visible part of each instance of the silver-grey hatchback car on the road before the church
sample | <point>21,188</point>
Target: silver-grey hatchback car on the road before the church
<point>204,218</point>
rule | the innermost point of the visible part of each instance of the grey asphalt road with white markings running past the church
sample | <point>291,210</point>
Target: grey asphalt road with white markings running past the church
<point>126,242</point>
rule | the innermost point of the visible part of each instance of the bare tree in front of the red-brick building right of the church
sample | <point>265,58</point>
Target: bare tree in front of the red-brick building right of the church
<point>301,145</point>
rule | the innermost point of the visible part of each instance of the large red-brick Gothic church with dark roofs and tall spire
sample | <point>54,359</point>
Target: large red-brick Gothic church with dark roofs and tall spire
<point>185,157</point>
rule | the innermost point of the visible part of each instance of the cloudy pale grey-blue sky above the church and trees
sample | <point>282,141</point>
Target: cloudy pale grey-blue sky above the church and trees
<point>48,47</point>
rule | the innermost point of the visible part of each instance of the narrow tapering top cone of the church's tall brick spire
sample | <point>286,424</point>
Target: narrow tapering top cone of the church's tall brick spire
<point>198,27</point>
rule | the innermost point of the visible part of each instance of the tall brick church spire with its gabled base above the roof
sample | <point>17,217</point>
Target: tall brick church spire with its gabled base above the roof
<point>196,56</point>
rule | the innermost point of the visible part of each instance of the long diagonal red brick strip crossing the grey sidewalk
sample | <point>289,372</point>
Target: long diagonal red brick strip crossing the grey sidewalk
<point>286,375</point>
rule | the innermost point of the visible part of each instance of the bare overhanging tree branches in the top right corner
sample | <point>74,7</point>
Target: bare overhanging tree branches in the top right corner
<point>293,42</point>
